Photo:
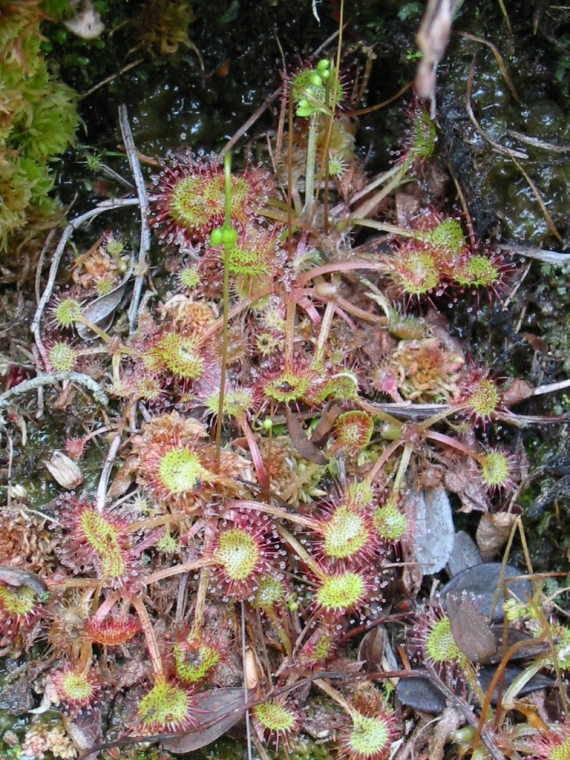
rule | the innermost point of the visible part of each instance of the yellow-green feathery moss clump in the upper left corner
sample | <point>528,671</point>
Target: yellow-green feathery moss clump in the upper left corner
<point>38,119</point>
